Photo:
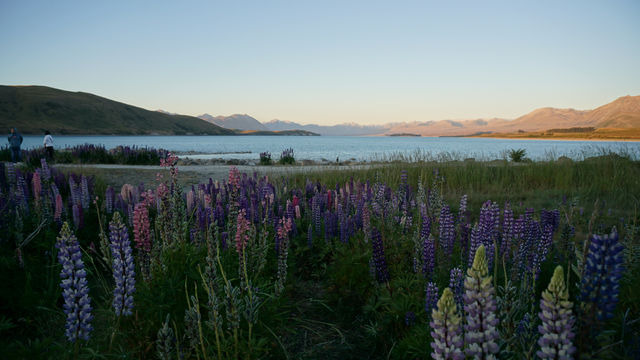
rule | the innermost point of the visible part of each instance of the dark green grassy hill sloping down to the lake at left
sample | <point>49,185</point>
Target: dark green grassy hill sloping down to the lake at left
<point>33,109</point>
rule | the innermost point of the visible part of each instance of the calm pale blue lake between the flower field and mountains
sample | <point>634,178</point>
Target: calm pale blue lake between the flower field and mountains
<point>360,148</point>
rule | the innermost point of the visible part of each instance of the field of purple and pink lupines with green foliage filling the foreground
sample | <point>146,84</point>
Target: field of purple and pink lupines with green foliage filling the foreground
<point>311,268</point>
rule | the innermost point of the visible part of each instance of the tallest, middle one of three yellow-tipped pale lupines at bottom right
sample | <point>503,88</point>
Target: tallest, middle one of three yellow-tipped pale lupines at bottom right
<point>480,306</point>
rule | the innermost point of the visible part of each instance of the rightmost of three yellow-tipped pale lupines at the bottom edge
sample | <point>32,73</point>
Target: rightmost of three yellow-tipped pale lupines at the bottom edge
<point>557,320</point>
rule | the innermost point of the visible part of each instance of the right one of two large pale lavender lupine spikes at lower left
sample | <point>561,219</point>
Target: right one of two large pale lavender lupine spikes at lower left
<point>123,267</point>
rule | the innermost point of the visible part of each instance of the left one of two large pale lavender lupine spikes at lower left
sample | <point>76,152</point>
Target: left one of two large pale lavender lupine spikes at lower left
<point>75,291</point>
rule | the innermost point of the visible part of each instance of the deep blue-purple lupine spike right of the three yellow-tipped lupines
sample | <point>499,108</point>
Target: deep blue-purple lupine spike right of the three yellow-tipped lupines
<point>603,270</point>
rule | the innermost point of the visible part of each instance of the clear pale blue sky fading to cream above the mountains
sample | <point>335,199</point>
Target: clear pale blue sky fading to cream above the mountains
<point>329,62</point>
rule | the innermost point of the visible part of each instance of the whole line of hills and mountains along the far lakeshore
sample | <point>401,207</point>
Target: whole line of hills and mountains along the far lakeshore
<point>36,108</point>
